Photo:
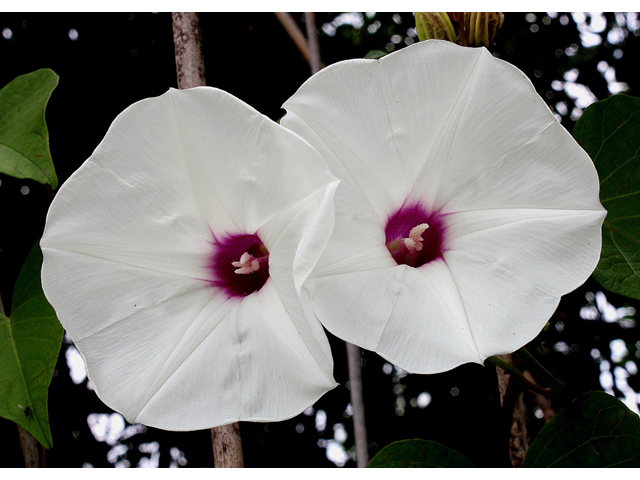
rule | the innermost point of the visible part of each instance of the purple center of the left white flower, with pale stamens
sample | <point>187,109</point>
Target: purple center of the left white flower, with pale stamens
<point>239,264</point>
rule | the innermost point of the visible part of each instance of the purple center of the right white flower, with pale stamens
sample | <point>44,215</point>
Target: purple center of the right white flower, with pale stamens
<point>415,236</point>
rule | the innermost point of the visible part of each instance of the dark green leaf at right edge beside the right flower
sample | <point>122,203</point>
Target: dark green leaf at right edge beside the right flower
<point>609,131</point>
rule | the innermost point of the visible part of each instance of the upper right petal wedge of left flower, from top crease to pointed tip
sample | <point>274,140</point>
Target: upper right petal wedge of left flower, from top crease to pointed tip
<point>263,158</point>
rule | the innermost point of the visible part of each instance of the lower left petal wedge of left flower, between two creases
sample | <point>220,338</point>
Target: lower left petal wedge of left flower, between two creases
<point>127,322</point>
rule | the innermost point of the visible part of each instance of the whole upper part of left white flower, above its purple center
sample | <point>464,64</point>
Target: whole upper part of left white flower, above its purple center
<point>169,171</point>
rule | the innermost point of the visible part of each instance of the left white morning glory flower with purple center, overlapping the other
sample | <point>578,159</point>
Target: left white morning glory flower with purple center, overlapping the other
<point>174,257</point>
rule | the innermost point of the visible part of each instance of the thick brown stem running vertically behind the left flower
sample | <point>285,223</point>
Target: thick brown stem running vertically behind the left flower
<point>187,39</point>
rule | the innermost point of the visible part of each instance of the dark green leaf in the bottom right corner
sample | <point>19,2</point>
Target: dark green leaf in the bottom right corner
<point>596,430</point>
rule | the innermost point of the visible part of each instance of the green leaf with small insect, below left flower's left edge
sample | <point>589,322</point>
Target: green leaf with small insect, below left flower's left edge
<point>29,345</point>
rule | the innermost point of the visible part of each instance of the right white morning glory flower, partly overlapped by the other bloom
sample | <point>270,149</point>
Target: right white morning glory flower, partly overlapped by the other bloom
<point>465,212</point>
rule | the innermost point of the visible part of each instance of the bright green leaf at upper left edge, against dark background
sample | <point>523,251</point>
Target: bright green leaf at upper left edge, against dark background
<point>24,139</point>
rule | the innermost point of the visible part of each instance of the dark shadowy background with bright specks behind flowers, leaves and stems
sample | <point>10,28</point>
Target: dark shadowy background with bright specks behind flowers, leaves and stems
<point>120,58</point>
